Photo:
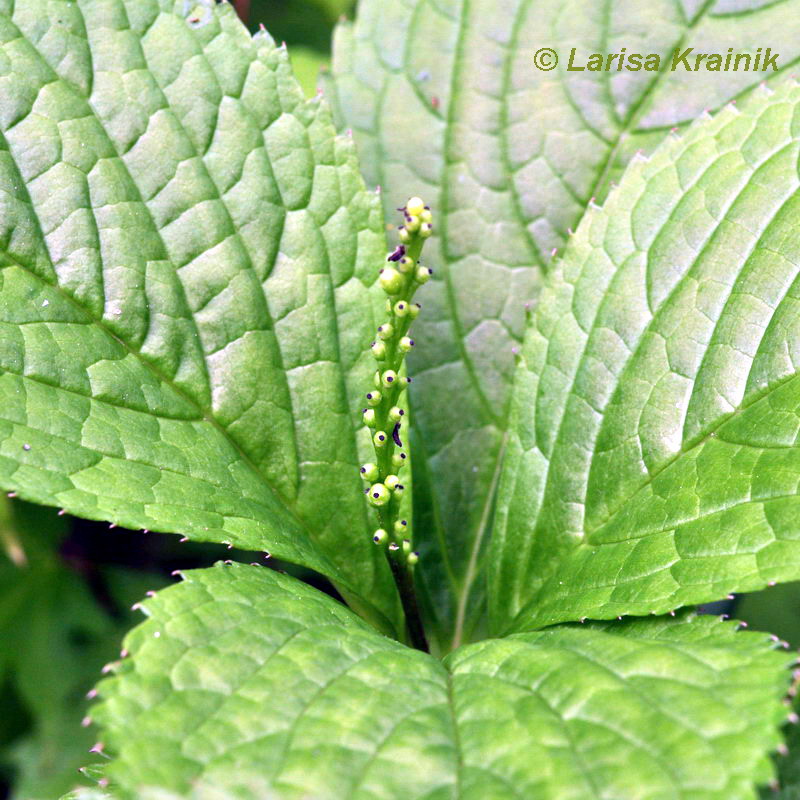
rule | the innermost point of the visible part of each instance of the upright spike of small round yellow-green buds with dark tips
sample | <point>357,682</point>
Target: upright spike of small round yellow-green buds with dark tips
<point>400,279</point>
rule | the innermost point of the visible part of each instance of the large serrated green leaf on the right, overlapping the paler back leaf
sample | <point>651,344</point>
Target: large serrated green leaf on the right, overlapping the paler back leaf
<point>654,462</point>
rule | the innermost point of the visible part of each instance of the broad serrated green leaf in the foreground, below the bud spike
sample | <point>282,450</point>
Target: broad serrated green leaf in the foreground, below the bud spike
<point>245,683</point>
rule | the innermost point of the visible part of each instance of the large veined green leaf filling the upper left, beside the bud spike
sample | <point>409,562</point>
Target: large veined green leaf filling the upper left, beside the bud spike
<point>185,255</point>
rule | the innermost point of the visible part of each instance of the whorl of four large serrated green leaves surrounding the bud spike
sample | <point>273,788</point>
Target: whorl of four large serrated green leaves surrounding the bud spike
<point>188,264</point>
